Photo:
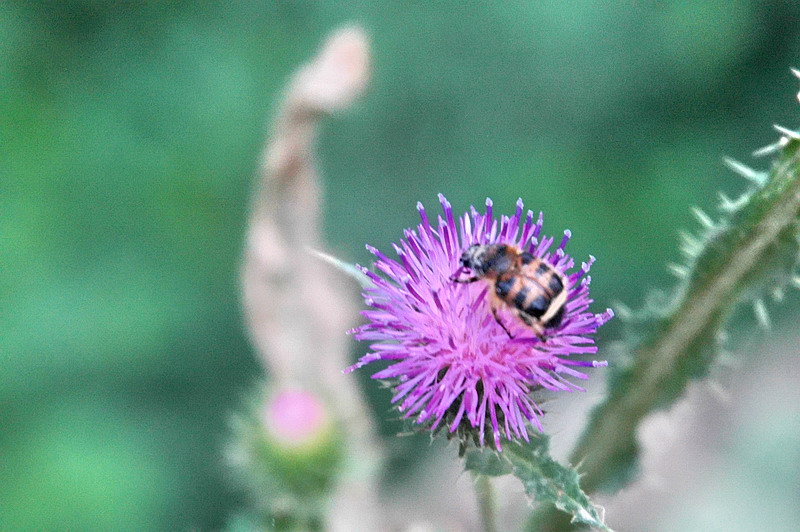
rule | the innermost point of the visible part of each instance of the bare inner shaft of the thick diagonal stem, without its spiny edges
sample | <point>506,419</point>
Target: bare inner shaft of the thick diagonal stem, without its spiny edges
<point>694,322</point>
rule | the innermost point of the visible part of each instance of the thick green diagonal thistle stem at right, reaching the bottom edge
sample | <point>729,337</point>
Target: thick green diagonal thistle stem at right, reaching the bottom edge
<point>678,348</point>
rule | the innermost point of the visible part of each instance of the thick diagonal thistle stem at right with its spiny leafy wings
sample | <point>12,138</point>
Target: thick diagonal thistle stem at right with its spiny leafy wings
<point>753,249</point>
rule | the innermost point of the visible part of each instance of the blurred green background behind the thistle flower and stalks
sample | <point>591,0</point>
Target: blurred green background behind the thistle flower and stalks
<point>129,139</point>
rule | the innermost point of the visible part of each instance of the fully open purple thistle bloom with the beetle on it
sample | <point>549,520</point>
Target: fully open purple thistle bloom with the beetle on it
<point>453,365</point>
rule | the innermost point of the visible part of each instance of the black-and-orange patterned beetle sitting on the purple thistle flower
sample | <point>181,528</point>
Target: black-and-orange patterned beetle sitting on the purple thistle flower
<point>533,289</point>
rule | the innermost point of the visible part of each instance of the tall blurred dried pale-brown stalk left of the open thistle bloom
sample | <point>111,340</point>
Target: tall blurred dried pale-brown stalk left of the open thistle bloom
<point>297,308</point>
